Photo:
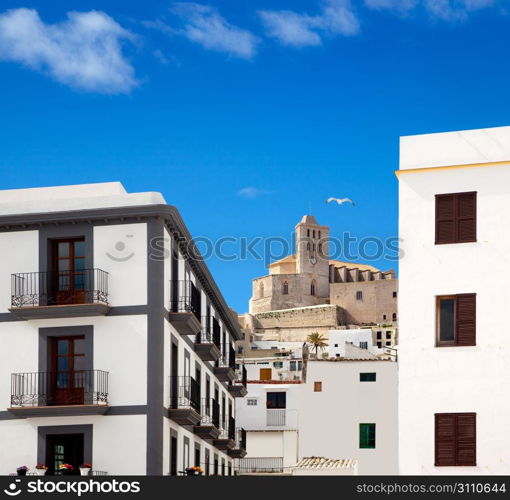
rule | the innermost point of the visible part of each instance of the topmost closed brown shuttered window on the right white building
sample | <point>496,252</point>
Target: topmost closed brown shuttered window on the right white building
<point>455,218</point>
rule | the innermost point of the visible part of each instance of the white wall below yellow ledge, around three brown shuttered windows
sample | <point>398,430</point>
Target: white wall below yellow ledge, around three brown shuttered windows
<point>454,379</point>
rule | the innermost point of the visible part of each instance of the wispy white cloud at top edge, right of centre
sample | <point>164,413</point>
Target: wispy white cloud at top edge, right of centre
<point>301,30</point>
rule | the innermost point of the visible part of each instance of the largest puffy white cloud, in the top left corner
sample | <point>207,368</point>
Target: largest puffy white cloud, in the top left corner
<point>83,51</point>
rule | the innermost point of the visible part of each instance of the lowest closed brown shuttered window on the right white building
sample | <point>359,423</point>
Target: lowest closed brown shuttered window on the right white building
<point>455,439</point>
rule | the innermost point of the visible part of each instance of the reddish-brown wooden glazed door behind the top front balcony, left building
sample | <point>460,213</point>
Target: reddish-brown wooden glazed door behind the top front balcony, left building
<point>68,274</point>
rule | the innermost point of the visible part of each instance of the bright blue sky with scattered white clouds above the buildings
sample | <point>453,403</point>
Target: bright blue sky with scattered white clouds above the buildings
<point>245,114</point>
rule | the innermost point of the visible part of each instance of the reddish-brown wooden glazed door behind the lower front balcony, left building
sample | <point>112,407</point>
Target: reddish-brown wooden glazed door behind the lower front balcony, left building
<point>68,376</point>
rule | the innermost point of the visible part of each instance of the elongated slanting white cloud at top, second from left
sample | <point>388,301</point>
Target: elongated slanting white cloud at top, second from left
<point>205,26</point>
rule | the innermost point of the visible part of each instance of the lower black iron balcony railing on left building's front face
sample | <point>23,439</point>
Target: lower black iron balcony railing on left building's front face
<point>84,387</point>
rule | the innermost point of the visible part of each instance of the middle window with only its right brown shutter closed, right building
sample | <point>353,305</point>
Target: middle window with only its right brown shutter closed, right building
<point>456,320</point>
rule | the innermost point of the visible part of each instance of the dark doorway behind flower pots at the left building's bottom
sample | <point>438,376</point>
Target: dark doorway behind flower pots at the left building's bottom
<point>64,449</point>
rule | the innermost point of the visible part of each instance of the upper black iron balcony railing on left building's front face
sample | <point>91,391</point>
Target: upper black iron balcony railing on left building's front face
<point>86,286</point>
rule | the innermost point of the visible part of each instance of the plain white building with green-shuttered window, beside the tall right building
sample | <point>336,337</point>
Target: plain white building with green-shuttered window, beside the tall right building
<point>348,411</point>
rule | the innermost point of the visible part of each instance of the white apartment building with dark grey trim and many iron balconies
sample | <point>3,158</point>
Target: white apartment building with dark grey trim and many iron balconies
<point>116,346</point>
